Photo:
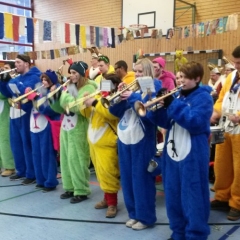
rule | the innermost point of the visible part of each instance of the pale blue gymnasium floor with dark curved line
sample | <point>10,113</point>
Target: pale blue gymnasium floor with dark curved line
<point>29,214</point>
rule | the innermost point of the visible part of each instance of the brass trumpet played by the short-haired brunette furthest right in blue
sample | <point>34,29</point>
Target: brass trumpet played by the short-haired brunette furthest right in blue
<point>141,108</point>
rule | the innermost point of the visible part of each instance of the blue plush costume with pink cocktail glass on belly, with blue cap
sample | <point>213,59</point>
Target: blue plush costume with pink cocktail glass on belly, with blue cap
<point>44,155</point>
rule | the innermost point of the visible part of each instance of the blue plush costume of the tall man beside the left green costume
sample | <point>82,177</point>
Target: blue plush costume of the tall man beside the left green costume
<point>20,121</point>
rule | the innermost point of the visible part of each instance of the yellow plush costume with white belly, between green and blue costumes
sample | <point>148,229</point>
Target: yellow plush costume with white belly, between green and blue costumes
<point>102,138</point>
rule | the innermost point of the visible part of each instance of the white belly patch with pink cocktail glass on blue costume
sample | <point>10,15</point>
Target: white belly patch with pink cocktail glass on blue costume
<point>38,122</point>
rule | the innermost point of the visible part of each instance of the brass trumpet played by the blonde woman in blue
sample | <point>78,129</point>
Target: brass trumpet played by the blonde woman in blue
<point>114,98</point>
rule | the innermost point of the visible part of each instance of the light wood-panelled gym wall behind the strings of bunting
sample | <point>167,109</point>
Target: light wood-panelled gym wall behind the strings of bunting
<point>110,15</point>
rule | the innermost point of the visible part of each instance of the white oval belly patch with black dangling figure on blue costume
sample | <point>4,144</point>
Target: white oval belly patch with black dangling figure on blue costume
<point>180,139</point>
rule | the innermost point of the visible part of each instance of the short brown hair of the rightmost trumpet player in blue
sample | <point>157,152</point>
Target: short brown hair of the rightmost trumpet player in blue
<point>192,70</point>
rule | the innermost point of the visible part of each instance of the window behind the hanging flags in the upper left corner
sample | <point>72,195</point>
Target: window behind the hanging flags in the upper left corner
<point>21,8</point>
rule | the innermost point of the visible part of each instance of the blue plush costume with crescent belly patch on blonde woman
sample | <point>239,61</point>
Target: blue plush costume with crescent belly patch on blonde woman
<point>136,147</point>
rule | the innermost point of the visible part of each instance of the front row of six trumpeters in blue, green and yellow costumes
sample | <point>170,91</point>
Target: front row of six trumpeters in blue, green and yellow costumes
<point>118,136</point>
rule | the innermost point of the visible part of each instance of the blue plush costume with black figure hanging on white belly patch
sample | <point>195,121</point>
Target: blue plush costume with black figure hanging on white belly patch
<point>185,162</point>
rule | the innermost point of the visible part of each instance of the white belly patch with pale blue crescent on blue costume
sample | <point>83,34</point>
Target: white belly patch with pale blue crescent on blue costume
<point>130,128</point>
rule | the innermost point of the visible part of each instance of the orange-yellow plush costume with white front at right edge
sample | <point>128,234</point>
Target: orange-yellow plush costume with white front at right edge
<point>227,164</point>
